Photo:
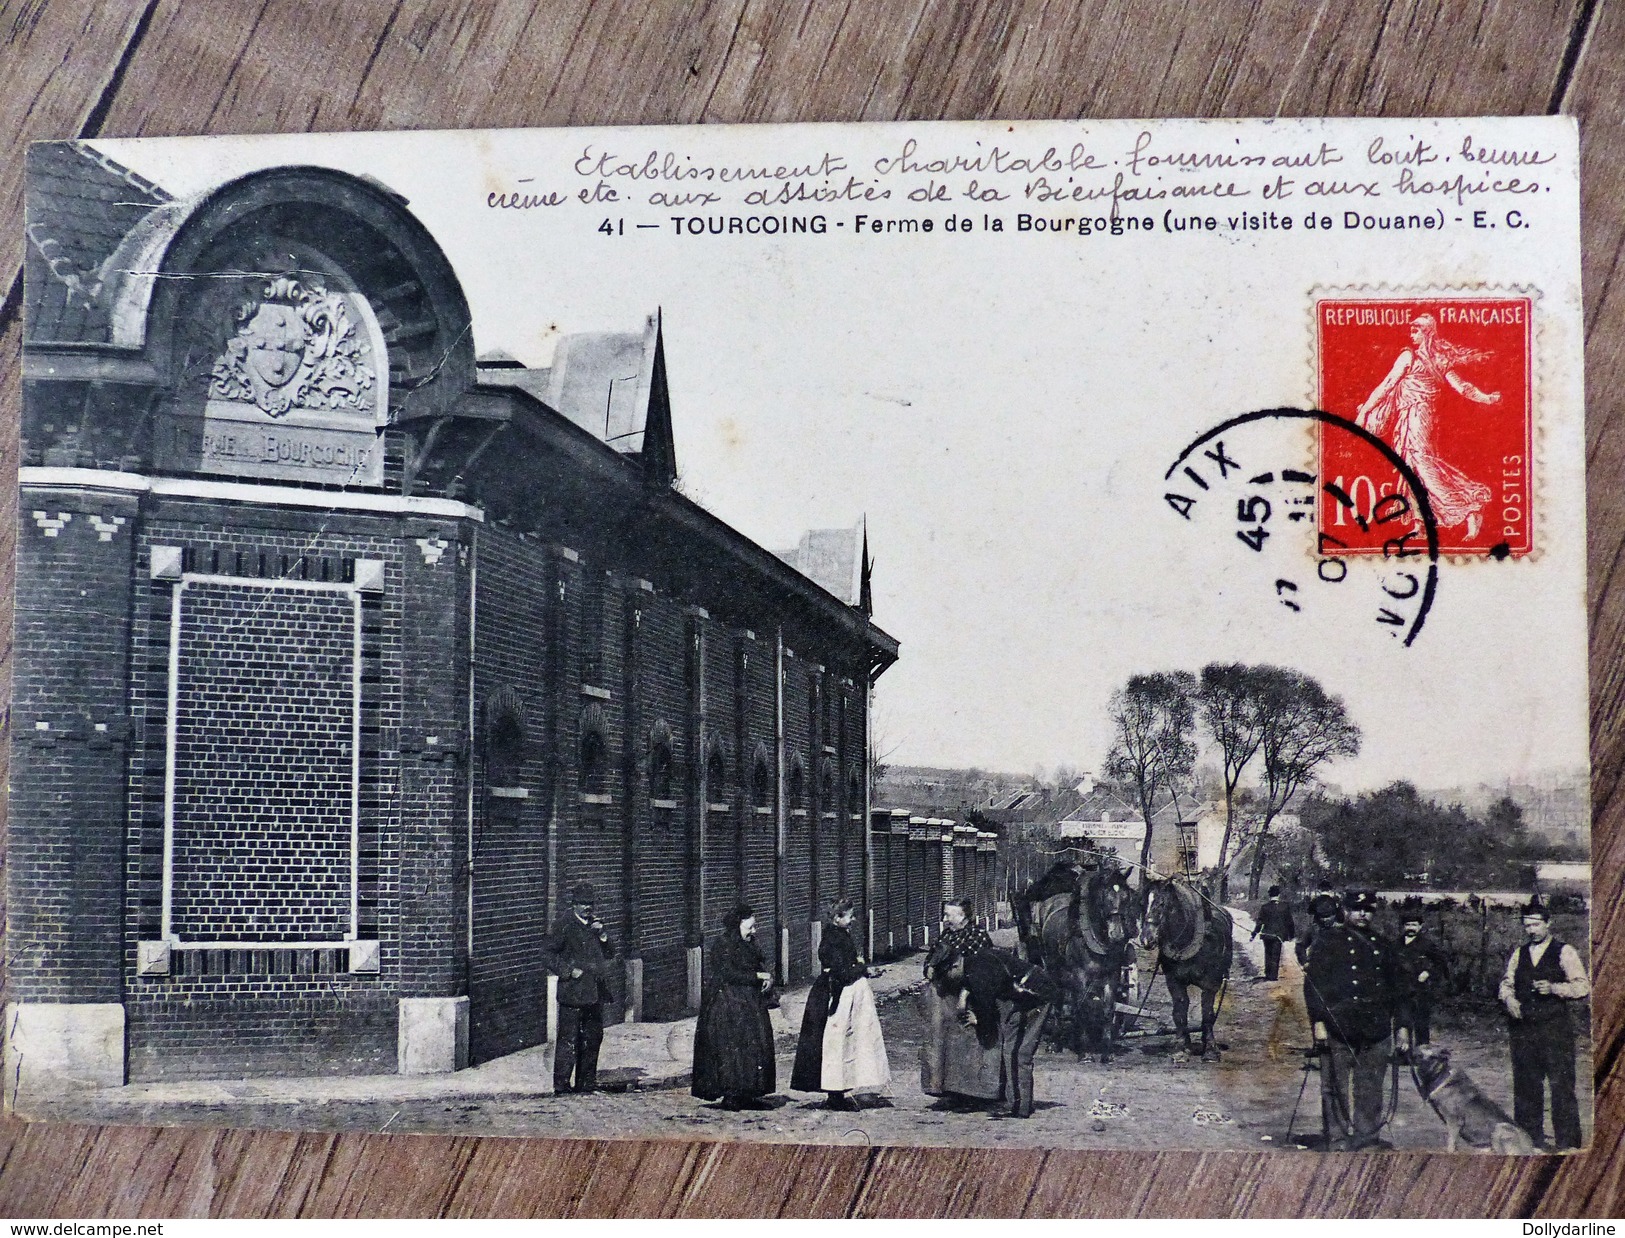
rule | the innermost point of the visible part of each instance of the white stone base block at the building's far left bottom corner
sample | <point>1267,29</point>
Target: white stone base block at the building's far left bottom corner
<point>58,1047</point>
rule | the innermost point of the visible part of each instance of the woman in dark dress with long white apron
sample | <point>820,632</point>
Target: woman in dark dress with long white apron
<point>841,1047</point>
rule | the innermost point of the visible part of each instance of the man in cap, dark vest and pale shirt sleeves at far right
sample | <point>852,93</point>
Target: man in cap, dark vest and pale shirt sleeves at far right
<point>1543,977</point>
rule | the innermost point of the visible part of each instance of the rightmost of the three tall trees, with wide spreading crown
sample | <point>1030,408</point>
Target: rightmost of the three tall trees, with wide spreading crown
<point>1302,729</point>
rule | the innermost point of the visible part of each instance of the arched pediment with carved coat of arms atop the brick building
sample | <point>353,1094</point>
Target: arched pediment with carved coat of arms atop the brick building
<point>290,316</point>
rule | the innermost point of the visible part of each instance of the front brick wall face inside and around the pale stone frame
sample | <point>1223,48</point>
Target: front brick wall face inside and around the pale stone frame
<point>267,1011</point>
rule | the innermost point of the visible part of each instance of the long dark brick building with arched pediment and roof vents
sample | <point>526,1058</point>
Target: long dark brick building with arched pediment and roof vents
<point>340,654</point>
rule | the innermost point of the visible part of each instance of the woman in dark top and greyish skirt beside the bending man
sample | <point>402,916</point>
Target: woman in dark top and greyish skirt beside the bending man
<point>953,1062</point>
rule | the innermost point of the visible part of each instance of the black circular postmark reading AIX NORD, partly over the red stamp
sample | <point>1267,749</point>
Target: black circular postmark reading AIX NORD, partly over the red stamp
<point>1315,543</point>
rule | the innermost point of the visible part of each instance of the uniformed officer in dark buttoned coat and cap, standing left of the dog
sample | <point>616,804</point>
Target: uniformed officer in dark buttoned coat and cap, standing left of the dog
<point>1359,1018</point>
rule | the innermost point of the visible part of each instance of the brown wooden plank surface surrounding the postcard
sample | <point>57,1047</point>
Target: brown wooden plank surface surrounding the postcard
<point>106,69</point>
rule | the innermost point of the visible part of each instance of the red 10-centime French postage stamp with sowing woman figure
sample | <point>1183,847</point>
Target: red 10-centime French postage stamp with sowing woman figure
<point>1445,383</point>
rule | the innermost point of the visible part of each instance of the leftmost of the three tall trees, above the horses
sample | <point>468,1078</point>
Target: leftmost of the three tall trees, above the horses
<point>1155,748</point>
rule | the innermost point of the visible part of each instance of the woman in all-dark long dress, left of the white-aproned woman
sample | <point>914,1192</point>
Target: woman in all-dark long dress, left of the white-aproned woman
<point>734,1044</point>
